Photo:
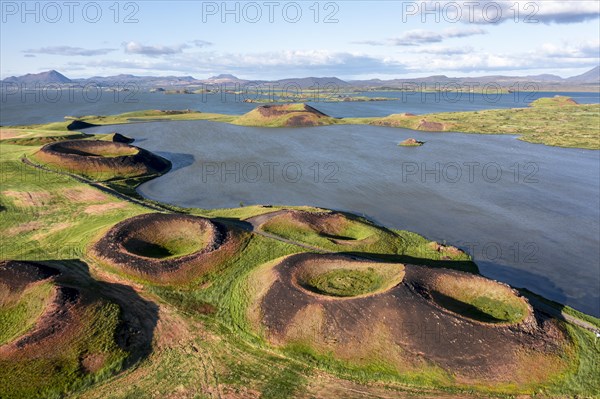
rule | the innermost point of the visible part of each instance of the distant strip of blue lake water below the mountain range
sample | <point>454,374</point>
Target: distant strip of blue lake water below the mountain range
<point>32,107</point>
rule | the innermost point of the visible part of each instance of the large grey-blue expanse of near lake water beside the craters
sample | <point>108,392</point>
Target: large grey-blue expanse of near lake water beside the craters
<point>528,214</point>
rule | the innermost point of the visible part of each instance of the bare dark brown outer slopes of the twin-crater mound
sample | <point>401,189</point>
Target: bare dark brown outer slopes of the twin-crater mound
<point>471,350</point>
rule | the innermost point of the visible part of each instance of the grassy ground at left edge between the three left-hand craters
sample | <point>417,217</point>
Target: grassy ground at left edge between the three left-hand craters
<point>54,230</point>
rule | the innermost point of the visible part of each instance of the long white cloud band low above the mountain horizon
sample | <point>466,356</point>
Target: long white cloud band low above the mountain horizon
<point>430,59</point>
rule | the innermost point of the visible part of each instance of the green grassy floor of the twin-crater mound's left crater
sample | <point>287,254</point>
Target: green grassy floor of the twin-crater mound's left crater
<point>345,283</point>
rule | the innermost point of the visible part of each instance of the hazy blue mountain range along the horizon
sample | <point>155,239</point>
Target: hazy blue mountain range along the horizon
<point>589,78</point>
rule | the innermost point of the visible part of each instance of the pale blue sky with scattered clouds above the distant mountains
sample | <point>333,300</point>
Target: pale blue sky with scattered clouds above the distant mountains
<point>360,39</point>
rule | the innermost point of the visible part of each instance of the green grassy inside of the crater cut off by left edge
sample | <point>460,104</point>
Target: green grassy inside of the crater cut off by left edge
<point>17,316</point>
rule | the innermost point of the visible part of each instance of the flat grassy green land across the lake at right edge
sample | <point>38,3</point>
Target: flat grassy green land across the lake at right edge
<point>557,121</point>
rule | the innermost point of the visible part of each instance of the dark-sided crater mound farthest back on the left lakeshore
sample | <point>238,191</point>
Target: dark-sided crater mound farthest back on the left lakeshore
<point>101,160</point>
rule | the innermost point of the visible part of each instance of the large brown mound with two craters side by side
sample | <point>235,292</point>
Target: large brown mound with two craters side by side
<point>419,317</point>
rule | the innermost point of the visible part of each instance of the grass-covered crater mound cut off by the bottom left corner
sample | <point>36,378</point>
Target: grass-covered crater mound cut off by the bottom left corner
<point>55,338</point>
